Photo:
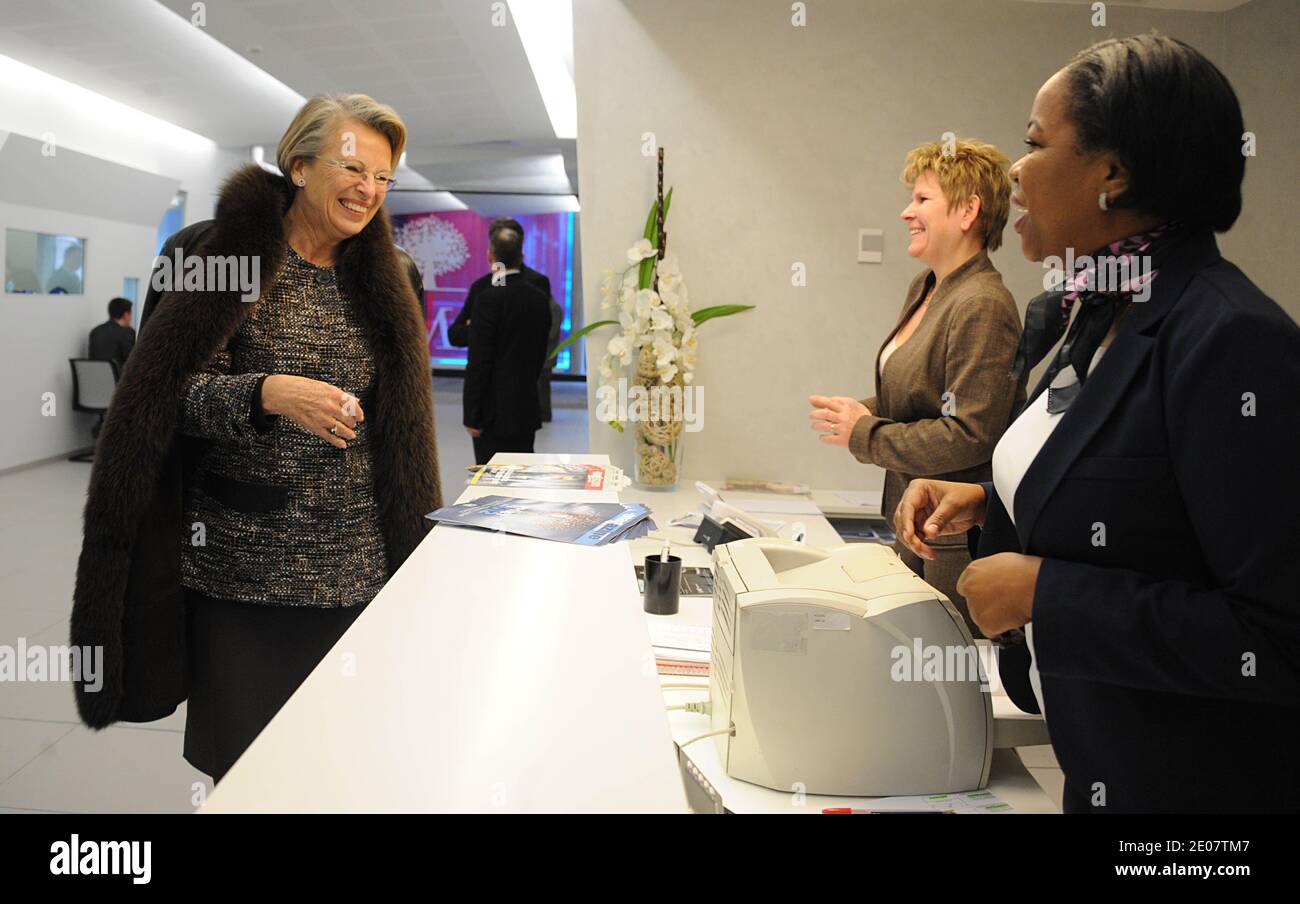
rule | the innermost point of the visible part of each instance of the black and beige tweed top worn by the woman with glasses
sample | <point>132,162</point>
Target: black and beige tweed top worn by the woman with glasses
<point>278,516</point>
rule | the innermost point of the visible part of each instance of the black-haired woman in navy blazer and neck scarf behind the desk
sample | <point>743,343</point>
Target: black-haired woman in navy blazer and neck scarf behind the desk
<point>1138,527</point>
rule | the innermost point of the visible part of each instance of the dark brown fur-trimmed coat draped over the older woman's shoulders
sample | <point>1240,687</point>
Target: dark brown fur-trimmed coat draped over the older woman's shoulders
<point>128,599</point>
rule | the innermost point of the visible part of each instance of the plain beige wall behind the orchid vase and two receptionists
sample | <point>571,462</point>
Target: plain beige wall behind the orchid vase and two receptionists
<point>782,142</point>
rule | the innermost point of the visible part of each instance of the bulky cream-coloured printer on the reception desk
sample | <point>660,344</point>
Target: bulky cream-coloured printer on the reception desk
<point>813,680</point>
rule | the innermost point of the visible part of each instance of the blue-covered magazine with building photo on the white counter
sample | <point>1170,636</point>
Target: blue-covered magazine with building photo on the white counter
<point>584,524</point>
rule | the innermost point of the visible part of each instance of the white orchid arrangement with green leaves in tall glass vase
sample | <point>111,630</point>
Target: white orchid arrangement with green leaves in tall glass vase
<point>658,340</point>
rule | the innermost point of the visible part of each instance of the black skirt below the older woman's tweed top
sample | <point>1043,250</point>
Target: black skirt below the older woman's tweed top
<point>245,663</point>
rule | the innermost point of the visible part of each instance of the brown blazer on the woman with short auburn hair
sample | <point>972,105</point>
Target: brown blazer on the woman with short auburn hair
<point>961,354</point>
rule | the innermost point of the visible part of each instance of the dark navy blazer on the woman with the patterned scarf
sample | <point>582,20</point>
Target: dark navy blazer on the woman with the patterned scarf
<point>1167,615</point>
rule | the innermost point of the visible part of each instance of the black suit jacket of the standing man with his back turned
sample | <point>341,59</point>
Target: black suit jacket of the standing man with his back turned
<point>508,345</point>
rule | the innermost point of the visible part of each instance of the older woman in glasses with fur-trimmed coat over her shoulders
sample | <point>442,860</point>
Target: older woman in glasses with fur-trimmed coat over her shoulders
<point>266,466</point>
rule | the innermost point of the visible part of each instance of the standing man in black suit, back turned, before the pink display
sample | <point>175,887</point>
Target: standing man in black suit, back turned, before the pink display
<point>509,331</point>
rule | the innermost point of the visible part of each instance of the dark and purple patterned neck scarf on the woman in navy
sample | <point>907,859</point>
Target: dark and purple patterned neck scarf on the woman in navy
<point>1103,284</point>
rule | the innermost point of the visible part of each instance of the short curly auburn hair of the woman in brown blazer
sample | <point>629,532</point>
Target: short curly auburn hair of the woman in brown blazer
<point>968,168</point>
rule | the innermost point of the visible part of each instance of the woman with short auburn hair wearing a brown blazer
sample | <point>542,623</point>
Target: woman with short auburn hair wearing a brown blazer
<point>943,396</point>
